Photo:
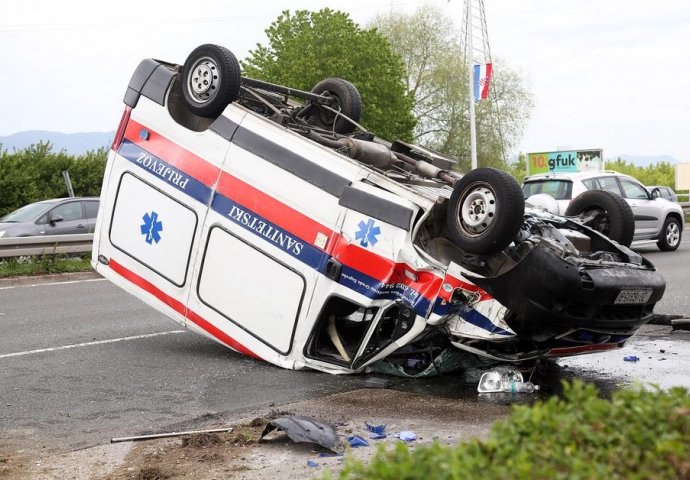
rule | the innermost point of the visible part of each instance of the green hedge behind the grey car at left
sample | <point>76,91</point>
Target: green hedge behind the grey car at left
<point>35,173</point>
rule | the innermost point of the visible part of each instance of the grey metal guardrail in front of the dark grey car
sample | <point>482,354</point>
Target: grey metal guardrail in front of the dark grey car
<point>45,245</point>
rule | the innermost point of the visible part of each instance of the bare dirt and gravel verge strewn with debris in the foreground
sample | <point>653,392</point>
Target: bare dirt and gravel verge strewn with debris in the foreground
<point>240,455</point>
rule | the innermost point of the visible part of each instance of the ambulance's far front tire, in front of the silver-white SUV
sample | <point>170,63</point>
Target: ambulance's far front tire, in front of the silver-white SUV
<point>605,212</point>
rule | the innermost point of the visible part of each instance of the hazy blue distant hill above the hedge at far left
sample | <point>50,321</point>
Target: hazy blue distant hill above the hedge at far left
<point>72,143</point>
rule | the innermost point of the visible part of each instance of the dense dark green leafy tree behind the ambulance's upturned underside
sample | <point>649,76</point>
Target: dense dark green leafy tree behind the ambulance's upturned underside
<point>305,47</point>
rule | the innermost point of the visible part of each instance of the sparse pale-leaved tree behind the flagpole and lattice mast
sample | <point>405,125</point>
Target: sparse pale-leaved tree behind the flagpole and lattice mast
<point>437,78</point>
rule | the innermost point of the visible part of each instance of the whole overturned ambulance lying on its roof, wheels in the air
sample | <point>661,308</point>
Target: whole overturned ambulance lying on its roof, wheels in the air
<point>286,231</point>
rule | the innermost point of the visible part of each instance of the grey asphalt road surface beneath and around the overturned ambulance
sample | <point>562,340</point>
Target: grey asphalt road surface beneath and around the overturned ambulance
<point>81,363</point>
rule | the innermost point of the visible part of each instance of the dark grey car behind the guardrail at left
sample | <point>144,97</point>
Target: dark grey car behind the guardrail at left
<point>58,216</point>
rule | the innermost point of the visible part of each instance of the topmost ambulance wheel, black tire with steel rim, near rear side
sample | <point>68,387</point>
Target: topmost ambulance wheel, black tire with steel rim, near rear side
<point>210,80</point>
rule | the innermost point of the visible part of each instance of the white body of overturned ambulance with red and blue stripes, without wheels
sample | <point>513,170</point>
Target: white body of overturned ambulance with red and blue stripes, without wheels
<point>279,247</point>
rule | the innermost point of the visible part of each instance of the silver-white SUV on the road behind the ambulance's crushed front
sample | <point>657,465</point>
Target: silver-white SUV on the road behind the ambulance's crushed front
<point>656,218</point>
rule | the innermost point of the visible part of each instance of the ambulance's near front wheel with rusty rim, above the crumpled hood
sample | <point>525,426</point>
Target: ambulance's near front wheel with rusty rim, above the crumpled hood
<point>485,211</point>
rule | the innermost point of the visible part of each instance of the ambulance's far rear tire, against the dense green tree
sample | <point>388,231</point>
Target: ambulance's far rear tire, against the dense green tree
<point>347,100</point>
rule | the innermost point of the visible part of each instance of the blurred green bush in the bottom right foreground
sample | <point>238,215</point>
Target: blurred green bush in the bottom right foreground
<point>637,434</point>
